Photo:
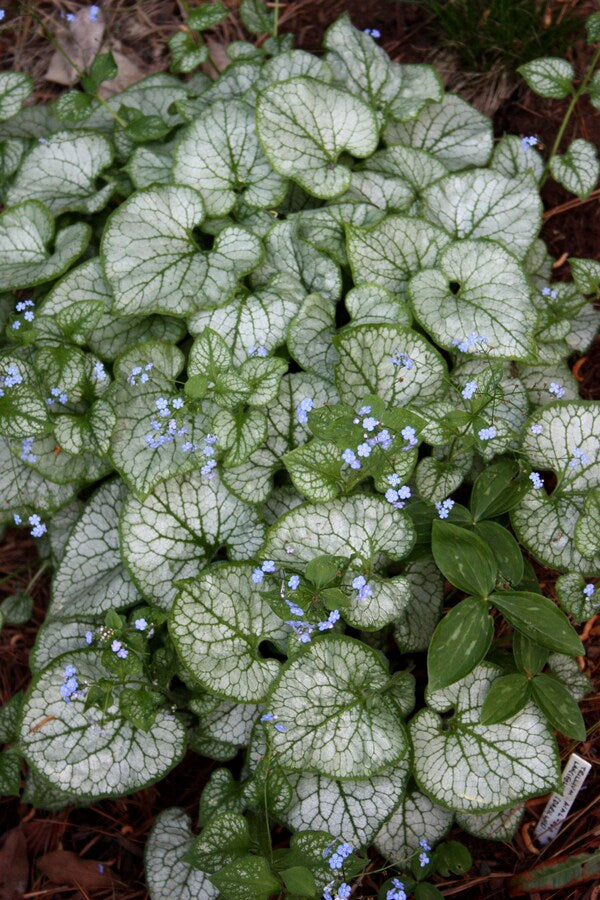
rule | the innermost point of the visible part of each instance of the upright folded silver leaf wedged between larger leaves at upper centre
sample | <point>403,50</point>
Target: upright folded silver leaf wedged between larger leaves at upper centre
<point>286,253</point>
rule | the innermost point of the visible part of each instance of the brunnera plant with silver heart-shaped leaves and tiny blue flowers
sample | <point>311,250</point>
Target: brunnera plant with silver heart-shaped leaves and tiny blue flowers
<point>281,354</point>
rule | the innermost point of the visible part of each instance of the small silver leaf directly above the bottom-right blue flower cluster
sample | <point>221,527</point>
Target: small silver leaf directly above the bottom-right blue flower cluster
<point>416,818</point>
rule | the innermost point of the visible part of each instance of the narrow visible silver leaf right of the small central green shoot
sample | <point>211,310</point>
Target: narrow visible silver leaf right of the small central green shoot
<point>252,481</point>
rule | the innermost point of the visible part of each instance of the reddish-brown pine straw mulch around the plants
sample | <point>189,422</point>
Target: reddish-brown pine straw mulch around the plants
<point>56,855</point>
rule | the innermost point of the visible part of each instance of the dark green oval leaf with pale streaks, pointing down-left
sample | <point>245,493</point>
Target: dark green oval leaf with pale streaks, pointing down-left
<point>459,642</point>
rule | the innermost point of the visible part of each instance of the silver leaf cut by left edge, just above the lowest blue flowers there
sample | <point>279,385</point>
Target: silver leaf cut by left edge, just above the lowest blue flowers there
<point>25,491</point>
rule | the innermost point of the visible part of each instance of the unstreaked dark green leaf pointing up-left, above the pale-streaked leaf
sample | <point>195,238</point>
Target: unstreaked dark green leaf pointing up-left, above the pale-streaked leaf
<point>465,559</point>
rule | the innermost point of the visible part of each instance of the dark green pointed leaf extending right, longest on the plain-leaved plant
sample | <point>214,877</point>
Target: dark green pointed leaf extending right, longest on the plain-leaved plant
<point>539,619</point>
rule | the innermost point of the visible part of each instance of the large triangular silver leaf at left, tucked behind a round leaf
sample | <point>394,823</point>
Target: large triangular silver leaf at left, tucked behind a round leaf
<point>91,578</point>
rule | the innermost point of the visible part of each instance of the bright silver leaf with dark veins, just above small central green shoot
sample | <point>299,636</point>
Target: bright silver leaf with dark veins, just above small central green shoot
<point>257,319</point>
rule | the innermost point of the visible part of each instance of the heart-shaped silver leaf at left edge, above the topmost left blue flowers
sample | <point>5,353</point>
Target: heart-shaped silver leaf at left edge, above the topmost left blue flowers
<point>26,233</point>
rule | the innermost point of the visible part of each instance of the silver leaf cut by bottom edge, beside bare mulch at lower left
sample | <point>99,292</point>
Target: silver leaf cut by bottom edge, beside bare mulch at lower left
<point>167,873</point>
